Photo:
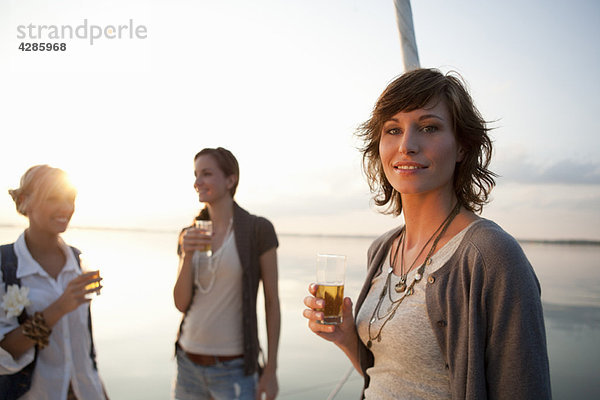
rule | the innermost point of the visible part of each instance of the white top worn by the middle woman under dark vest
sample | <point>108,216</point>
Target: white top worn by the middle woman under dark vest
<point>213,324</point>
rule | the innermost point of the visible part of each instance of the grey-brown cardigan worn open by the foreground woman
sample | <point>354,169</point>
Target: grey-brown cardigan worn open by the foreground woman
<point>485,310</point>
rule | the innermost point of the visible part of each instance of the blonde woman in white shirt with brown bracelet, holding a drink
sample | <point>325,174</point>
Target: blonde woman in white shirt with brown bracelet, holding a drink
<point>46,350</point>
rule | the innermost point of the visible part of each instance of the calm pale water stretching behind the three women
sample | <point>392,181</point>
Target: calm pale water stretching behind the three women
<point>135,321</point>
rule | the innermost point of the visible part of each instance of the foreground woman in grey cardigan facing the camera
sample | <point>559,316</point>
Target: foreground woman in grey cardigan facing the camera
<point>451,306</point>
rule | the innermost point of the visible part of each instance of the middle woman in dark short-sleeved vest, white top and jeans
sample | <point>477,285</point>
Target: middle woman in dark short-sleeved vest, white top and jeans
<point>218,348</point>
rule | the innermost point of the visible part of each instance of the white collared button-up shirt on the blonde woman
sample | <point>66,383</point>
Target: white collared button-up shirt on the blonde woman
<point>67,357</point>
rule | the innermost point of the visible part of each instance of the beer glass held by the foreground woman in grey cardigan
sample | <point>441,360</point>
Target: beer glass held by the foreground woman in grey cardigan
<point>331,272</point>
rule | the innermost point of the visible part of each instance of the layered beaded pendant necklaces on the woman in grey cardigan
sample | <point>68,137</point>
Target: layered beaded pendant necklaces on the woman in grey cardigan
<point>402,287</point>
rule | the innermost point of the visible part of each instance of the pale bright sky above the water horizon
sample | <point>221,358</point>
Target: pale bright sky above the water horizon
<point>284,85</point>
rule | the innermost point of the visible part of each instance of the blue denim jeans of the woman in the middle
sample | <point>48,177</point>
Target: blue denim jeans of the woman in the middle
<point>222,381</point>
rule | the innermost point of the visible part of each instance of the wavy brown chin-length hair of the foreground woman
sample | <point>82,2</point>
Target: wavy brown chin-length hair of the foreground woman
<point>473,181</point>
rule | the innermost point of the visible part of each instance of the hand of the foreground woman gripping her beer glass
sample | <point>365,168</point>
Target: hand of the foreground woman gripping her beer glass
<point>342,334</point>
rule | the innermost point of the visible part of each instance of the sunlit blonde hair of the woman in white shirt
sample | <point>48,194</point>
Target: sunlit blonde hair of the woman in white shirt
<point>37,183</point>
